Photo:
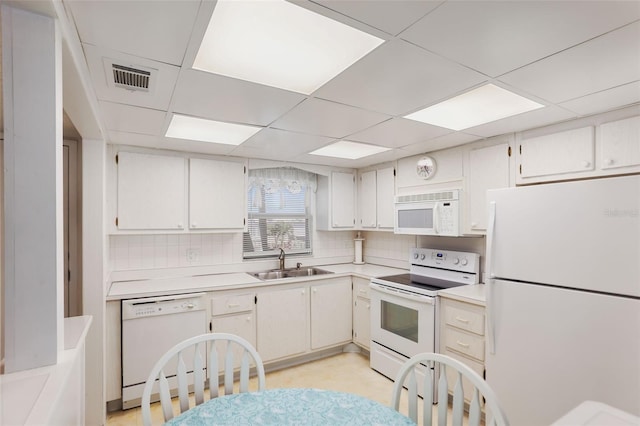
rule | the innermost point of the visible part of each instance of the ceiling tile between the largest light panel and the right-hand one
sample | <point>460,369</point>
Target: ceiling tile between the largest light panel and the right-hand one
<point>398,78</point>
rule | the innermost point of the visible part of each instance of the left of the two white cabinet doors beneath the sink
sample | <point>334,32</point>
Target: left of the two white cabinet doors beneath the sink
<point>283,323</point>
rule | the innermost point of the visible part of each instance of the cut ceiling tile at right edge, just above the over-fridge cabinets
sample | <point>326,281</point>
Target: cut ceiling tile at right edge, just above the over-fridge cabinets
<point>626,94</point>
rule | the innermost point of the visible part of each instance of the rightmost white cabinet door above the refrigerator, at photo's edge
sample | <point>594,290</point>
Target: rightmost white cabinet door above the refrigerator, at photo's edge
<point>620,143</point>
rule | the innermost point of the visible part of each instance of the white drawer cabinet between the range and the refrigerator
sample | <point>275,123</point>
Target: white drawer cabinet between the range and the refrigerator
<point>462,337</point>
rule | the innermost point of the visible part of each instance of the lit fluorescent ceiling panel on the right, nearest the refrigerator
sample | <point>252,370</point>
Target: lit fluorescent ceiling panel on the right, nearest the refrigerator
<point>479,106</point>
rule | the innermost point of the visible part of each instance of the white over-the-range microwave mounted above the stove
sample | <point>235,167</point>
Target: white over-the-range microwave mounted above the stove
<point>431,213</point>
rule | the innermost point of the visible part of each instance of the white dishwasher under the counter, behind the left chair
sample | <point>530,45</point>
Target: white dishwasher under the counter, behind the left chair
<point>150,327</point>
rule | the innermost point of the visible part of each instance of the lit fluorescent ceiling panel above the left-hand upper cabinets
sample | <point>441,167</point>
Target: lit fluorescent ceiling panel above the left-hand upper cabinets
<point>199,129</point>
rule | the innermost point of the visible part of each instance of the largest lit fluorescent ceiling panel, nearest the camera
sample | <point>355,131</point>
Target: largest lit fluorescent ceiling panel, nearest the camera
<point>279,44</point>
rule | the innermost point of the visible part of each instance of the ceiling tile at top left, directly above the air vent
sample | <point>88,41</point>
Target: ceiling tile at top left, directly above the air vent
<point>158,30</point>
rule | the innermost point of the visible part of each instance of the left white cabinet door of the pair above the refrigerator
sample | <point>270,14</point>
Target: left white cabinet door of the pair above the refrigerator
<point>557,154</point>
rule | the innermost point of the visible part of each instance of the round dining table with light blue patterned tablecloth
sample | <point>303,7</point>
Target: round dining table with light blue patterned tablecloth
<point>291,406</point>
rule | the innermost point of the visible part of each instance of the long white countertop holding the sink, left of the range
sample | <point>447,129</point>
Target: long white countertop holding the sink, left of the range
<point>165,286</point>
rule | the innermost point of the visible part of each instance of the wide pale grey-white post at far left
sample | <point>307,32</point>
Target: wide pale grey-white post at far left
<point>33,237</point>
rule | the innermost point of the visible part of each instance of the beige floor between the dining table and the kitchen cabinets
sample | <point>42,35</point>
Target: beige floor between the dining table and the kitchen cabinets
<point>346,372</point>
